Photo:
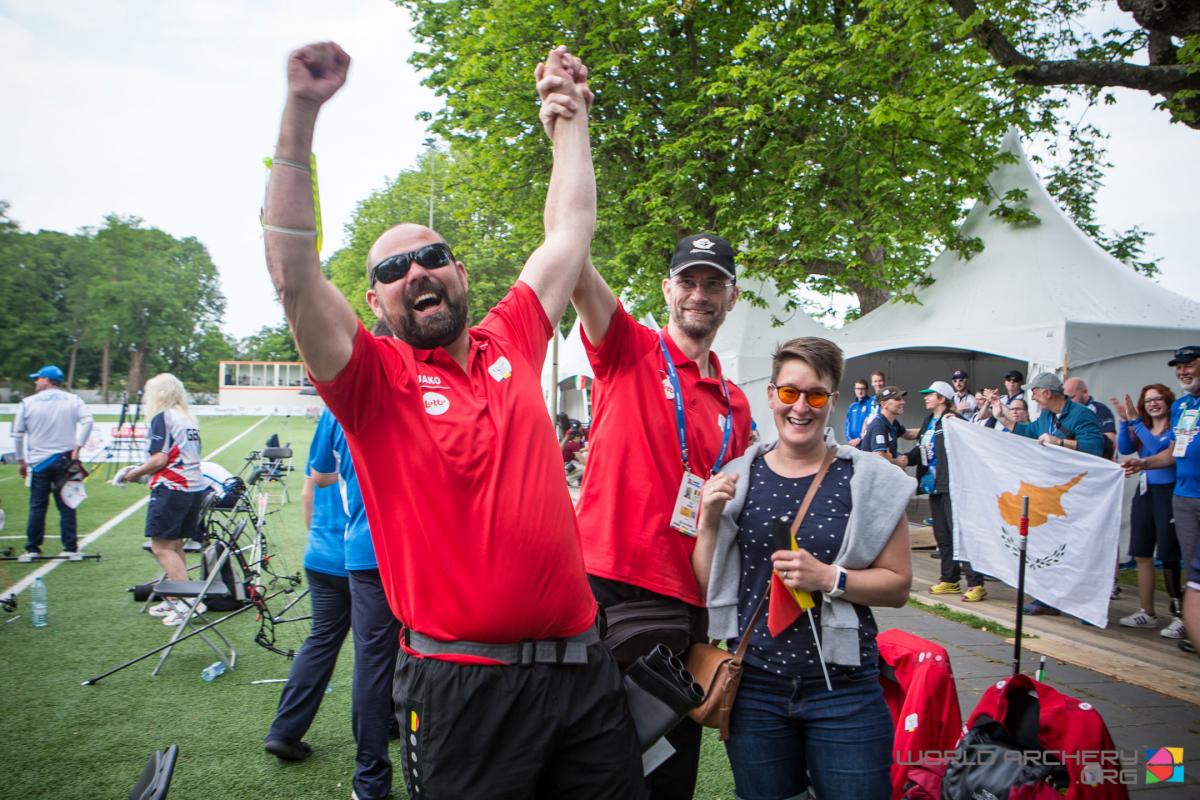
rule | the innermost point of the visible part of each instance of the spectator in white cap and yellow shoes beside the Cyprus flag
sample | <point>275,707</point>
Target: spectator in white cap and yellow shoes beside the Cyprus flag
<point>934,477</point>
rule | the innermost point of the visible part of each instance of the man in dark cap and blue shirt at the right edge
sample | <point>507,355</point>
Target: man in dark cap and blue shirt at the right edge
<point>1185,456</point>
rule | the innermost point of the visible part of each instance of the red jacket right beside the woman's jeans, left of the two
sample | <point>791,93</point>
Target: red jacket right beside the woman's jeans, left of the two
<point>919,687</point>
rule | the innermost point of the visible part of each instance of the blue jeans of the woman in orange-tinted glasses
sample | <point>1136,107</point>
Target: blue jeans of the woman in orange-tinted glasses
<point>788,735</point>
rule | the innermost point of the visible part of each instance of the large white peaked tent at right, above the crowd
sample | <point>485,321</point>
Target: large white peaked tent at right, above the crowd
<point>1043,296</point>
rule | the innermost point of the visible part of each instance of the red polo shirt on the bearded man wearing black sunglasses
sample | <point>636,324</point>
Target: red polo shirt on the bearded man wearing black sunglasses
<point>463,482</point>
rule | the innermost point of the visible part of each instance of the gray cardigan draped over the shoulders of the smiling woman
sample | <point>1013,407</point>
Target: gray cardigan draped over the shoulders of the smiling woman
<point>880,494</point>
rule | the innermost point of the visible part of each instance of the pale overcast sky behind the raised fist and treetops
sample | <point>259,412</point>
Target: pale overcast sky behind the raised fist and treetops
<point>164,110</point>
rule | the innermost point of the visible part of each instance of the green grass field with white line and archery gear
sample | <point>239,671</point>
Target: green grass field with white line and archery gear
<point>70,742</point>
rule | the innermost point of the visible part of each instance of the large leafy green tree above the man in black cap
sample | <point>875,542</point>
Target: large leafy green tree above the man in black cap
<point>837,143</point>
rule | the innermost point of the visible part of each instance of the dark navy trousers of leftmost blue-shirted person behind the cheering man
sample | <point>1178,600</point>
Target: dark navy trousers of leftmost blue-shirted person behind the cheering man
<point>314,666</point>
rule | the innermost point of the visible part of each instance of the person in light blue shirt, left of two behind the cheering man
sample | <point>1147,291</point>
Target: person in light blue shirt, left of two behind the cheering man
<point>329,592</point>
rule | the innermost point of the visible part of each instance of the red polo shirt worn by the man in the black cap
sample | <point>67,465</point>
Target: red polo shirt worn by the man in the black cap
<point>634,462</point>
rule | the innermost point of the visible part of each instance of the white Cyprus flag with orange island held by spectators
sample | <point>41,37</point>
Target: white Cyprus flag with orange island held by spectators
<point>1075,516</point>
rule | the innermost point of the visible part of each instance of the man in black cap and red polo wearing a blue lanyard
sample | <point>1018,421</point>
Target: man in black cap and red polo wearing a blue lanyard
<point>664,420</point>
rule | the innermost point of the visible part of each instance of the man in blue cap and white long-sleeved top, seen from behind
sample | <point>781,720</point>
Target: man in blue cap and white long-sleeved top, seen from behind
<point>57,425</point>
